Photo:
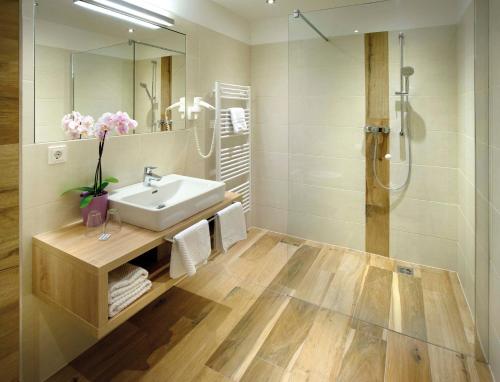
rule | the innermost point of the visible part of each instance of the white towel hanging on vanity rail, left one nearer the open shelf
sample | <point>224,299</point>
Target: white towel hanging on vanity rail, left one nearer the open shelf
<point>191,247</point>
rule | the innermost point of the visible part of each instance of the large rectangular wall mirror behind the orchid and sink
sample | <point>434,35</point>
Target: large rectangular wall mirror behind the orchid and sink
<point>93,63</point>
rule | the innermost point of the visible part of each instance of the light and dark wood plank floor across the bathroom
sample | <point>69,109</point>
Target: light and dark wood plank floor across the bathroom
<point>257,313</point>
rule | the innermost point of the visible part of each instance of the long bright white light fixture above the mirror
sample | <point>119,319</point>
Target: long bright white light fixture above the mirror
<point>128,12</point>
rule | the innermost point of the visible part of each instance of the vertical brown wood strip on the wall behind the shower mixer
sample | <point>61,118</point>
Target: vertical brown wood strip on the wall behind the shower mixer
<point>377,202</point>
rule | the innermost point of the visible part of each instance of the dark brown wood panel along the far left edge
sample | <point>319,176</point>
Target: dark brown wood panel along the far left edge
<point>9,190</point>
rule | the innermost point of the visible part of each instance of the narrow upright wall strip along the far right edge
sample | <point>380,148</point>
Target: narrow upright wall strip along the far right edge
<point>494,136</point>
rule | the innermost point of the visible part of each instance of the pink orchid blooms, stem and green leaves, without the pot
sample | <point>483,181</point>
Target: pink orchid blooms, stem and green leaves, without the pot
<point>78,126</point>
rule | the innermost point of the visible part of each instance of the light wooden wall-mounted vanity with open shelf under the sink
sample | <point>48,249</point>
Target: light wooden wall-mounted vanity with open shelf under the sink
<point>71,270</point>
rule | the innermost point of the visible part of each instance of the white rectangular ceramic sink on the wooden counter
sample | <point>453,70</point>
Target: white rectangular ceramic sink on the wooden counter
<point>167,202</point>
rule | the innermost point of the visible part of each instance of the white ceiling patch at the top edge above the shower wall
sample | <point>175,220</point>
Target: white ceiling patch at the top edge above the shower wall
<point>258,9</point>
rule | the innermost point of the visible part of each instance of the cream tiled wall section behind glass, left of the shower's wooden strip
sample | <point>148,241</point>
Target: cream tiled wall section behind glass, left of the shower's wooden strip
<point>327,166</point>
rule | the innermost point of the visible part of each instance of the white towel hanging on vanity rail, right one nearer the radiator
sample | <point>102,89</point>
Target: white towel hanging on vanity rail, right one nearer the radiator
<point>232,225</point>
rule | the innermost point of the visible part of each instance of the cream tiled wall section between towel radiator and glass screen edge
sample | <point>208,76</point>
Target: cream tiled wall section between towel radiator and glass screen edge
<point>269,66</point>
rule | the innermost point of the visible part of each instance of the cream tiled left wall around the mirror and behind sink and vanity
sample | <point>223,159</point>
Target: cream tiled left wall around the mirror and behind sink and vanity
<point>50,338</point>
